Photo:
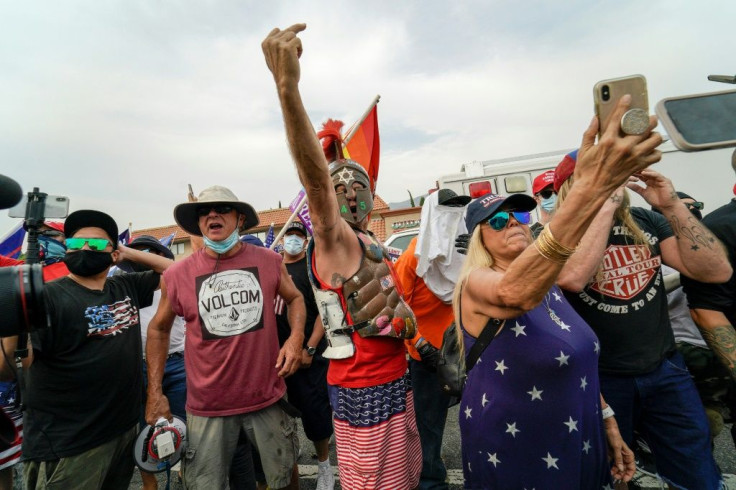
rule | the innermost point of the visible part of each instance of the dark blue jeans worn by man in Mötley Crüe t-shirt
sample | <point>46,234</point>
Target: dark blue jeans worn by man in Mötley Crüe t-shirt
<point>665,407</point>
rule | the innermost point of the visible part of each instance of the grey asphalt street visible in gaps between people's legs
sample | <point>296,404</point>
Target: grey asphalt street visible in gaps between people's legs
<point>724,452</point>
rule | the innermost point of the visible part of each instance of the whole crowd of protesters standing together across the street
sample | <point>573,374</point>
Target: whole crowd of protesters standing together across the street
<point>239,341</point>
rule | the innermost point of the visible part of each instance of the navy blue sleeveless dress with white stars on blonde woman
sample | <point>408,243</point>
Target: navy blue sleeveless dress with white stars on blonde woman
<point>530,412</point>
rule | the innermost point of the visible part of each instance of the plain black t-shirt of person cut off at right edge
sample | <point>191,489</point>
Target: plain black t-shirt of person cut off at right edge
<point>717,297</point>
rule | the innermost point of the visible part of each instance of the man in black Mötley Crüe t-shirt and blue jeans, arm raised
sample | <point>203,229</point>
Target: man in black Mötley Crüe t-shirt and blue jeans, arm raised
<point>614,281</point>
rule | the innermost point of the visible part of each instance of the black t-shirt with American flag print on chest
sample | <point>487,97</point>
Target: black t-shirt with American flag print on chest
<point>85,383</point>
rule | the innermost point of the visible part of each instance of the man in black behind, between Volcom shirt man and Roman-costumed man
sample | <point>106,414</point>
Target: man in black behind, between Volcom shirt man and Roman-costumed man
<point>307,388</point>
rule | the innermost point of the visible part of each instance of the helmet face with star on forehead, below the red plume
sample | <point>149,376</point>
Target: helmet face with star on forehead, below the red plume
<point>353,190</point>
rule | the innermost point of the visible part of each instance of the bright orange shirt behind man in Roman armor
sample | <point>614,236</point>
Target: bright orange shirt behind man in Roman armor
<point>433,316</point>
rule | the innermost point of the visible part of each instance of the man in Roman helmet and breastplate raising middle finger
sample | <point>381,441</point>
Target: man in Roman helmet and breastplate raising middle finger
<point>364,315</point>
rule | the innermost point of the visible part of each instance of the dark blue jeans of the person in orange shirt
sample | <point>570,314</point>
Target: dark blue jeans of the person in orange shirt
<point>430,406</point>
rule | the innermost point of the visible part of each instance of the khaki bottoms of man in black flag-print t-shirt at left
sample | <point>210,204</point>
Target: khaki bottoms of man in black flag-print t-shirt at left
<point>108,466</point>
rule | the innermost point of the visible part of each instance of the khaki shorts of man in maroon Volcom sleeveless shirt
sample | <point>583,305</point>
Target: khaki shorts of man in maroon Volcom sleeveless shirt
<point>211,443</point>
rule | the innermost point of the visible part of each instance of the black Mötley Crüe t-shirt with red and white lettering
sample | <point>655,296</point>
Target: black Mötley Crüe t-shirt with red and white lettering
<point>626,303</point>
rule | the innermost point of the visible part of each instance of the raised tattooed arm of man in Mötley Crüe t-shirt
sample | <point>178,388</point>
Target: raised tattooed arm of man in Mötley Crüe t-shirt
<point>694,250</point>
